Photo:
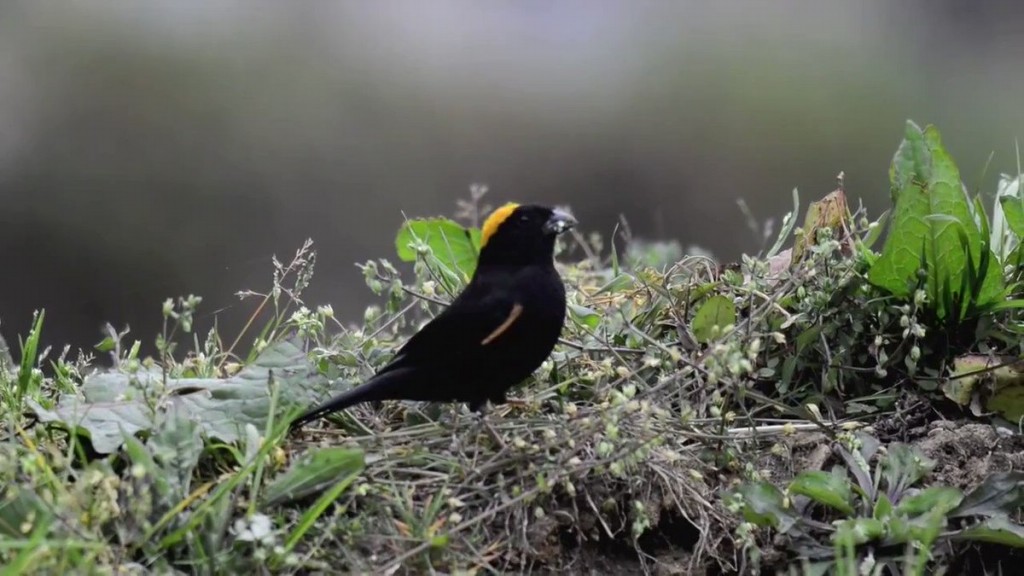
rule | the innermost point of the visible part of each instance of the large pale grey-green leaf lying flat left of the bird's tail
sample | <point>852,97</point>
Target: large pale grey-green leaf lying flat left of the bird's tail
<point>113,404</point>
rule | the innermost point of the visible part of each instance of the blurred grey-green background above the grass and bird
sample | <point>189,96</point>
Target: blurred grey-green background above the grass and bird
<point>164,148</point>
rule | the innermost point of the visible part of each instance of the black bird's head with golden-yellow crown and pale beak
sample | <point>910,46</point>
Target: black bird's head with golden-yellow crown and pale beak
<point>525,234</point>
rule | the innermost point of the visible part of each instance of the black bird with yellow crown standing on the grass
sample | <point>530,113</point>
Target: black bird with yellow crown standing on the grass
<point>495,334</point>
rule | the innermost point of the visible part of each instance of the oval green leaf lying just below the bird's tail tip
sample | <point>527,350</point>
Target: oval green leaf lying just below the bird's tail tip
<point>314,473</point>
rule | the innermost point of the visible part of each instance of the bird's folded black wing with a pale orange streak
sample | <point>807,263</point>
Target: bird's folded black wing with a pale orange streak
<point>477,319</point>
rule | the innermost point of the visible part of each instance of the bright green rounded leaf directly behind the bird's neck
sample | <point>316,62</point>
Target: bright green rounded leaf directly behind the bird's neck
<point>453,246</point>
